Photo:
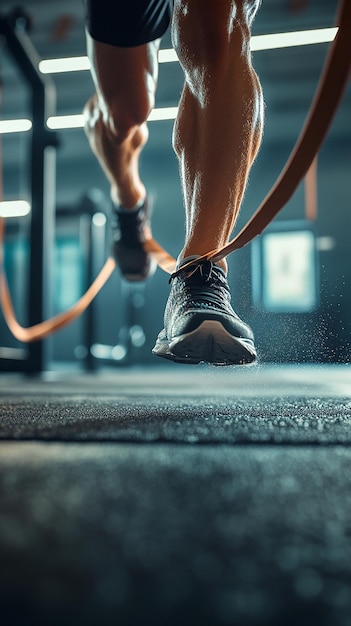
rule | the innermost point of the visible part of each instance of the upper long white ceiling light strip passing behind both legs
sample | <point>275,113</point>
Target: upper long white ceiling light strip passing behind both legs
<point>258,42</point>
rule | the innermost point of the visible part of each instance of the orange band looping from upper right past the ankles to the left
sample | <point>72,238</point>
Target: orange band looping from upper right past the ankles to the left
<point>325,103</point>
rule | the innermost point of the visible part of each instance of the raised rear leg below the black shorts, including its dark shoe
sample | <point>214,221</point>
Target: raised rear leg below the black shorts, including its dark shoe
<point>116,125</point>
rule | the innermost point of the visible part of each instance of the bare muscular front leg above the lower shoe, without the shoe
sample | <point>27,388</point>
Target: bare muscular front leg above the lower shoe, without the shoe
<point>218,130</point>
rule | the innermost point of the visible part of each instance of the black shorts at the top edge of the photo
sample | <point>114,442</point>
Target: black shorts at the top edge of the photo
<point>127,22</point>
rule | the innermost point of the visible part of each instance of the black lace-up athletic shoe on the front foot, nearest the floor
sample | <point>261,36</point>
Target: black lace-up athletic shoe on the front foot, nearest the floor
<point>200,324</point>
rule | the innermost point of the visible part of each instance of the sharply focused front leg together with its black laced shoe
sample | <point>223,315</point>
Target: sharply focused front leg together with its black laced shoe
<point>216,137</point>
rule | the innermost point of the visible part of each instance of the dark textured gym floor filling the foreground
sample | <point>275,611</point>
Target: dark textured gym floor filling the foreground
<point>177,495</point>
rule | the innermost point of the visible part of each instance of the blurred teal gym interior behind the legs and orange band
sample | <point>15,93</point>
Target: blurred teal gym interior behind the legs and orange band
<point>292,284</point>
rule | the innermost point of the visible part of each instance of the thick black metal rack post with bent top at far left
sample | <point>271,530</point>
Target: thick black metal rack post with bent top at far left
<point>42,179</point>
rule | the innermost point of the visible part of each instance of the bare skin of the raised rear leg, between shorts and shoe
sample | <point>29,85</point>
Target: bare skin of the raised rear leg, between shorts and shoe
<point>125,81</point>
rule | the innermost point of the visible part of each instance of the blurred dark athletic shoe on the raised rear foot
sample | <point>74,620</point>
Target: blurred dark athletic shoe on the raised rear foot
<point>130,229</point>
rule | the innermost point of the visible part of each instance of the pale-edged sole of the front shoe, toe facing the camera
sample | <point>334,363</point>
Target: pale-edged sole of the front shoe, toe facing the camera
<point>211,343</point>
